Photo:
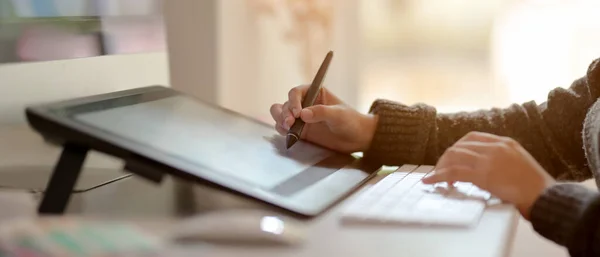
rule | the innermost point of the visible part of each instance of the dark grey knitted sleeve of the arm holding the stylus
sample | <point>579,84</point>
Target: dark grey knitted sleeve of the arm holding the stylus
<point>550,131</point>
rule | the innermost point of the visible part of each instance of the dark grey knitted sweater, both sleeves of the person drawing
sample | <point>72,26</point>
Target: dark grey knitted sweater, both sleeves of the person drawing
<point>561,134</point>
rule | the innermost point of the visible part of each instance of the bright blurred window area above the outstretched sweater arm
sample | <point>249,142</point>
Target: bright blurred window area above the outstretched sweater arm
<point>465,55</point>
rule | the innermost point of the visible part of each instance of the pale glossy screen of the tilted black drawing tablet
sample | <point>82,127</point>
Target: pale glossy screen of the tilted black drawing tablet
<point>206,136</point>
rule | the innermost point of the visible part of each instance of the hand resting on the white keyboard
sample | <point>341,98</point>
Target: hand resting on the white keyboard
<point>499,165</point>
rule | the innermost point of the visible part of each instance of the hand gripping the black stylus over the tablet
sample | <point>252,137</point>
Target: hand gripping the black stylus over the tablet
<point>329,123</point>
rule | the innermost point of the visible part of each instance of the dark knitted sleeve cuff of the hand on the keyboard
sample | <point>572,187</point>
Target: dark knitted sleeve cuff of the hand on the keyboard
<point>567,214</point>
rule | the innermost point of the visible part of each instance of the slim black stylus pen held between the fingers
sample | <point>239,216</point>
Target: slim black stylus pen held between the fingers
<point>309,100</point>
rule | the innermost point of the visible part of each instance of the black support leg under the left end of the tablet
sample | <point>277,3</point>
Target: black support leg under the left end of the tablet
<point>63,179</point>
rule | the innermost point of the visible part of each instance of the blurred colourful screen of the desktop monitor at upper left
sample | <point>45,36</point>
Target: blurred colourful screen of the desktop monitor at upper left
<point>43,30</point>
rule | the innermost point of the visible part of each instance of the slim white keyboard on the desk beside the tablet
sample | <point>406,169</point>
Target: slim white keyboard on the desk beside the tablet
<point>401,198</point>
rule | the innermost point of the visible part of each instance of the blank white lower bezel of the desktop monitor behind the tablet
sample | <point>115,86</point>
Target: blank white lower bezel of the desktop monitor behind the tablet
<point>23,84</point>
